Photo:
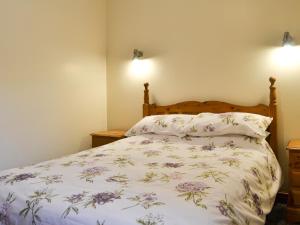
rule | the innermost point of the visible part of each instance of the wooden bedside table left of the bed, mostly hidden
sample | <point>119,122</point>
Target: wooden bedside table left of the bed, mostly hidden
<point>106,137</point>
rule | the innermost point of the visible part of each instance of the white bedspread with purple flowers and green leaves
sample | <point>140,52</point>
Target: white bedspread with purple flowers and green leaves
<point>147,180</point>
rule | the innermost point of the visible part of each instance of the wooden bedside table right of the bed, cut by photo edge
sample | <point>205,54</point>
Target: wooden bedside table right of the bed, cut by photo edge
<point>293,210</point>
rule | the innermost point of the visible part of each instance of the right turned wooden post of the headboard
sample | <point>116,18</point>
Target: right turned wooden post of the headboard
<point>273,113</point>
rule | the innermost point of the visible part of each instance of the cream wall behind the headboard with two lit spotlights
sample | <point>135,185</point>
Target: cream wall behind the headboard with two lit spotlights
<point>201,50</point>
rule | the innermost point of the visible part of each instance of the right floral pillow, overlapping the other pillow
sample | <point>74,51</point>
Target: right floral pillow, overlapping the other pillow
<point>215,124</point>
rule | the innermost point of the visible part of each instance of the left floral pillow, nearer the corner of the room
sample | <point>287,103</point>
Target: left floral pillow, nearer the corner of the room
<point>171,124</point>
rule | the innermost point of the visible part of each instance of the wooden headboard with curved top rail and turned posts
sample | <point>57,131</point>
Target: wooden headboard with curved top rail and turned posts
<point>195,107</point>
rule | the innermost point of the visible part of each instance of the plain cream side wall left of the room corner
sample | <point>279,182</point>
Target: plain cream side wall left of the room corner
<point>52,78</point>
